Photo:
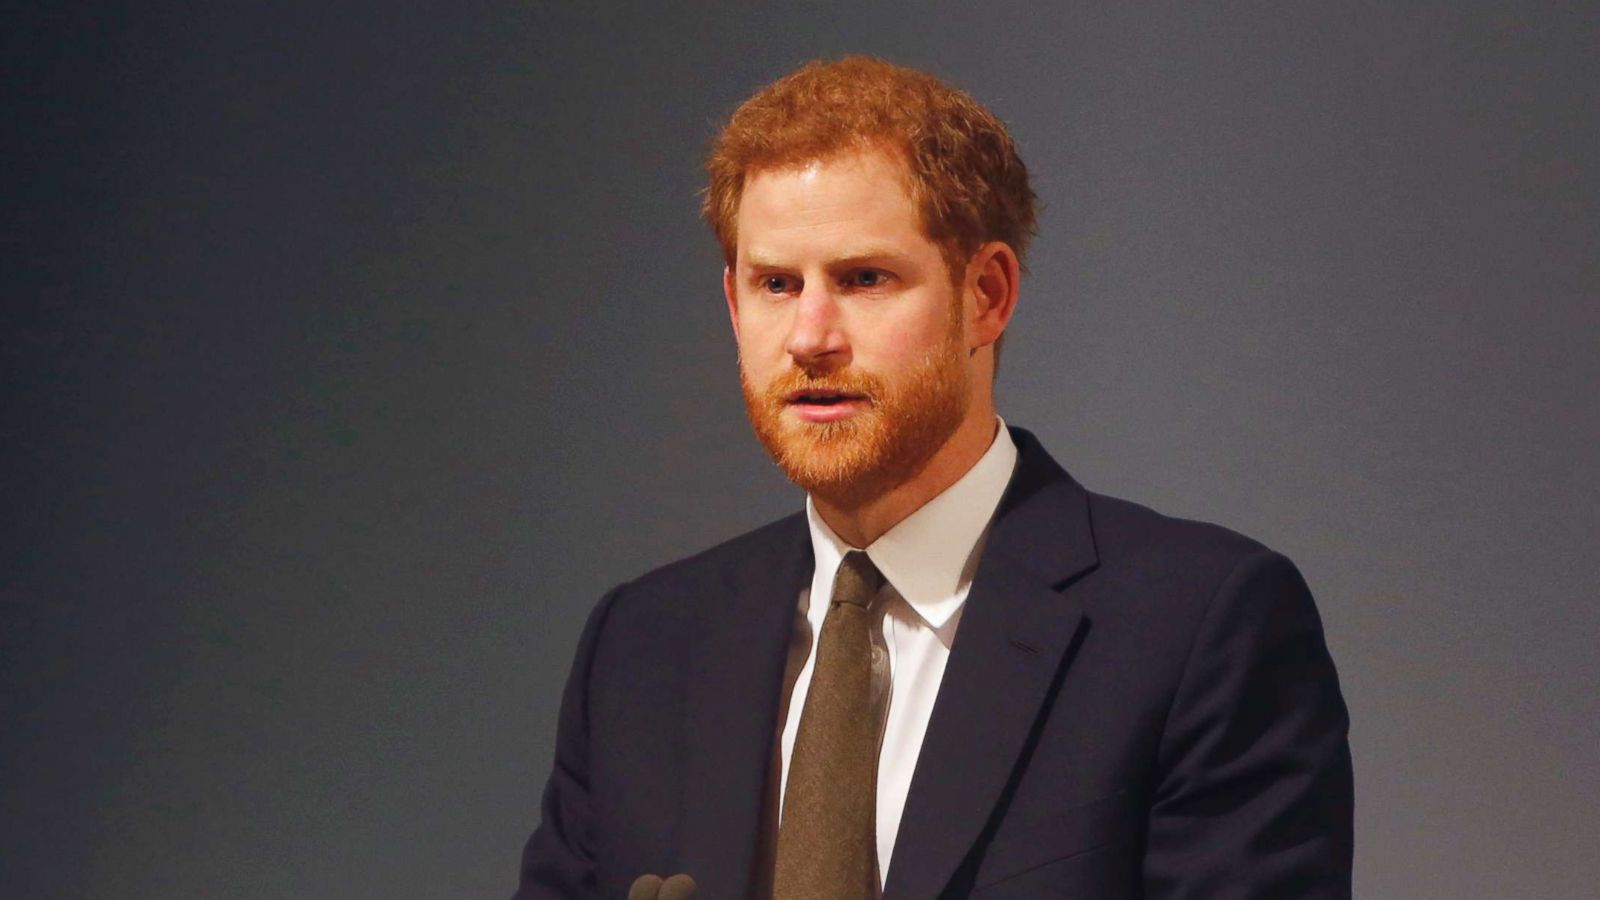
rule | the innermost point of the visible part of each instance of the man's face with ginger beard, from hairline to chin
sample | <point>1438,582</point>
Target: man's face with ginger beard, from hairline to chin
<point>852,335</point>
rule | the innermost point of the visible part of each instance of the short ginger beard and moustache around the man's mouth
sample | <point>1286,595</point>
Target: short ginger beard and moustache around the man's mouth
<point>855,460</point>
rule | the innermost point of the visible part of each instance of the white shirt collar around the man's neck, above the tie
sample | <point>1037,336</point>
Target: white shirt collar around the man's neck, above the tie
<point>929,556</point>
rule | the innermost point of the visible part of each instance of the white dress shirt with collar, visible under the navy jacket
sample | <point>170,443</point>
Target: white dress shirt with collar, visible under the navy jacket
<point>929,561</point>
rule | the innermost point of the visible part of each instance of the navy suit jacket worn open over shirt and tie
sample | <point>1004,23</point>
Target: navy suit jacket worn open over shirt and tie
<point>1135,707</point>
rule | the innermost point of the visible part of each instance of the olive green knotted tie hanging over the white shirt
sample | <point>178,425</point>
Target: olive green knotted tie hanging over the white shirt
<point>826,842</point>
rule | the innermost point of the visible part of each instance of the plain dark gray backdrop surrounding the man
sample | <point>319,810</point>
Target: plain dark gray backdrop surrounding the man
<point>353,352</point>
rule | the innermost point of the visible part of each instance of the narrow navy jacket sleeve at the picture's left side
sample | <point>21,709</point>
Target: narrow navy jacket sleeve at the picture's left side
<point>559,861</point>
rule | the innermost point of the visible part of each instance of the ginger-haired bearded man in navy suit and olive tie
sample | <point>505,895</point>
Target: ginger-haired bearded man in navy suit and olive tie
<point>958,673</point>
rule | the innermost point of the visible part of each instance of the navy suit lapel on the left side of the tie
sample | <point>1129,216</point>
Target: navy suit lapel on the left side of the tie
<point>732,715</point>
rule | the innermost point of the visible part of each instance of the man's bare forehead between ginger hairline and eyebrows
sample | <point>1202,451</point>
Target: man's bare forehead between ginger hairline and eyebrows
<point>831,204</point>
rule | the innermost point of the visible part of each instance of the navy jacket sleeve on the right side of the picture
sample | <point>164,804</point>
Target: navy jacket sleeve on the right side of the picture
<point>1255,794</point>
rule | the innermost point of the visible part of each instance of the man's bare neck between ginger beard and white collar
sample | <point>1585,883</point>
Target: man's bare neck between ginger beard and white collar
<point>863,523</point>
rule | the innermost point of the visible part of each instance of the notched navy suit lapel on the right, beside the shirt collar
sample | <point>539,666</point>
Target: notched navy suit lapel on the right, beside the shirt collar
<point>1017,635</point>
